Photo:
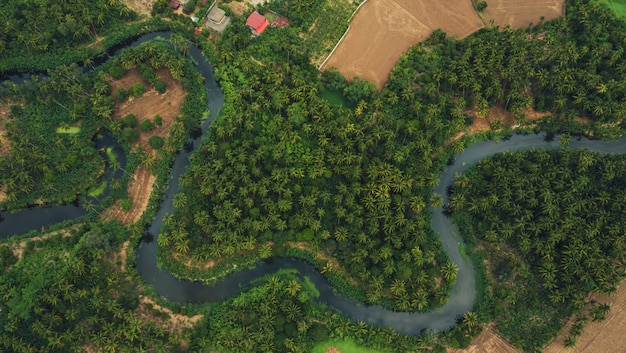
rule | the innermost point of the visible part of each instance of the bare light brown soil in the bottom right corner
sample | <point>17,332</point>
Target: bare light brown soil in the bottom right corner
<point>604,336</point>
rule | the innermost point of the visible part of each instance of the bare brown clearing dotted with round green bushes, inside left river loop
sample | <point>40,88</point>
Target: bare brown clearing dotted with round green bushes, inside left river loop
<point>151,103</point>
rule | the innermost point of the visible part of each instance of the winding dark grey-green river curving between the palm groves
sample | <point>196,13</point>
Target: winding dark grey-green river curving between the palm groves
<point>463,293</point>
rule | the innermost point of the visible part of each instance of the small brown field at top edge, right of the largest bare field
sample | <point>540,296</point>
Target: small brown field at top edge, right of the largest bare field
<point>518,13</point>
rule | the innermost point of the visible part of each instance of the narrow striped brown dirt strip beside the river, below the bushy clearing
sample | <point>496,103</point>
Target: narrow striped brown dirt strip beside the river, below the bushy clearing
<point>139,191</point>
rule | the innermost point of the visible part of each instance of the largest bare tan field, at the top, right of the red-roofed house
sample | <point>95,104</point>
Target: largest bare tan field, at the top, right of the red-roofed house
<point>384,29</point>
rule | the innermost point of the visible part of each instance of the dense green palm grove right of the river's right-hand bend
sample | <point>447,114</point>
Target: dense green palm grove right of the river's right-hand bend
<point>559,214</point>
